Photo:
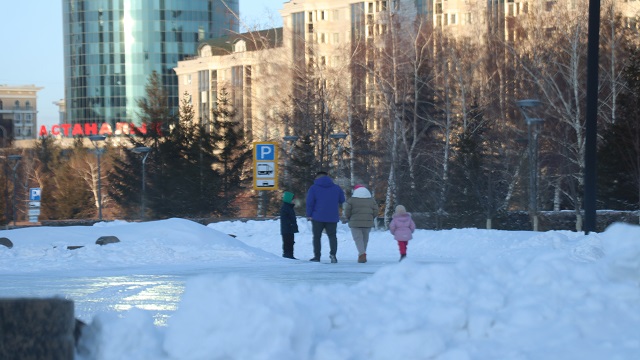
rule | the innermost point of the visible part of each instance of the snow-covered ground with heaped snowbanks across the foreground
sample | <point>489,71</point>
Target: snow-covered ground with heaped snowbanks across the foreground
<point>177,290</point>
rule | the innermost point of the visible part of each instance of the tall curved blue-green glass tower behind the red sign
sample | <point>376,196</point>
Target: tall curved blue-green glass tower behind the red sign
<point>111,47</point>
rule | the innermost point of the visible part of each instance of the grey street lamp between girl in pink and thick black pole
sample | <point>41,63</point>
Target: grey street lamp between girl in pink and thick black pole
<point>528,107</point>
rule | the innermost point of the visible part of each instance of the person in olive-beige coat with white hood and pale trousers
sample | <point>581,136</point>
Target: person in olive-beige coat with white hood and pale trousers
<point>360,211</point>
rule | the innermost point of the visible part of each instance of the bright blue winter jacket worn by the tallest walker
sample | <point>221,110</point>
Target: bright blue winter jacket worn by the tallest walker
<point>324,199</point>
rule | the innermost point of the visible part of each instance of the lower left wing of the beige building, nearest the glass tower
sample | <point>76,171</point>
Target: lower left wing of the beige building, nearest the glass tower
<point>239,69</point>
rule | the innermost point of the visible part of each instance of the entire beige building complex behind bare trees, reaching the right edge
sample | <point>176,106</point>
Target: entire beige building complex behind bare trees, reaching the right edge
<point>335,43</point>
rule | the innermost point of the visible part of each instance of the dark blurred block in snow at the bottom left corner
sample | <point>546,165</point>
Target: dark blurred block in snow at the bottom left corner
<point>37,329</point>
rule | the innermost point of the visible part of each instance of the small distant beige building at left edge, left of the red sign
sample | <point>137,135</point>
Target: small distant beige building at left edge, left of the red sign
<point>18,112</point>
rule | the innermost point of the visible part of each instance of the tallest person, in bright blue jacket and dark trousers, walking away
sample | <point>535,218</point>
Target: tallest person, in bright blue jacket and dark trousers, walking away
<point>324,199</point>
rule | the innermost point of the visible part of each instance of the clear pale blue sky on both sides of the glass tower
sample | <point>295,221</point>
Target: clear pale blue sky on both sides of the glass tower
<point>32,46</point>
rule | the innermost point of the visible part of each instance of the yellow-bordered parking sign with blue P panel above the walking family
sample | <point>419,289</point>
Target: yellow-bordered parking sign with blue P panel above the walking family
<point>265,166</point>
